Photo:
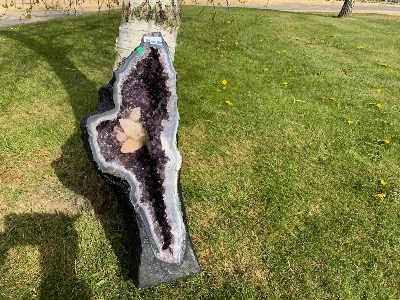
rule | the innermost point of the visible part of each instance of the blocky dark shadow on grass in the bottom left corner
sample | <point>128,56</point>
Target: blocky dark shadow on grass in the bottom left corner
<point>57,240</point>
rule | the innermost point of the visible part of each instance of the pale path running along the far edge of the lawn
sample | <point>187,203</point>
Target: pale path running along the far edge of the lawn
<point>15,18</point>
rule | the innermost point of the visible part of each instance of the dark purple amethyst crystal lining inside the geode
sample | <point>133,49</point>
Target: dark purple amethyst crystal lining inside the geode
<point>144,88</point>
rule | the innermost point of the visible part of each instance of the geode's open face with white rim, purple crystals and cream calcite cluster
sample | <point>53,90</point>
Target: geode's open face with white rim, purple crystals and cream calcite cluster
<point>136,141</point>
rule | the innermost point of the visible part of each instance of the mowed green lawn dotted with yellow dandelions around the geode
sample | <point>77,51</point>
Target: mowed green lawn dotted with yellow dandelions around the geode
<point>284,195</point>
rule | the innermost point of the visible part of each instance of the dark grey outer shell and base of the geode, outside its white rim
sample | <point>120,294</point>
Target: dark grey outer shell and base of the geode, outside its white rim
<point>148,270</point>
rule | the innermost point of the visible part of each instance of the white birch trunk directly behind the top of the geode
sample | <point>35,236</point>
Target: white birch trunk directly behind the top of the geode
<point>144,16</point>
